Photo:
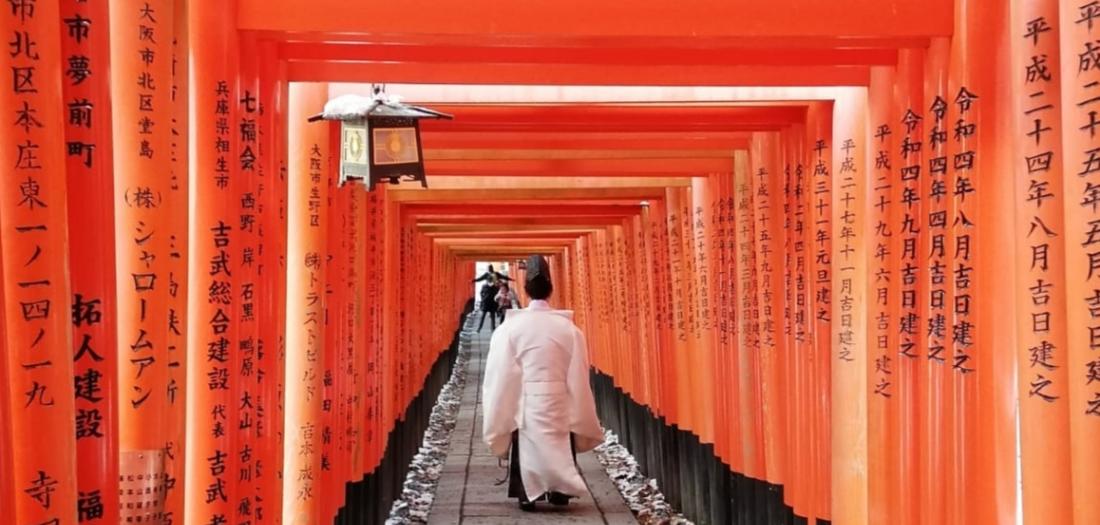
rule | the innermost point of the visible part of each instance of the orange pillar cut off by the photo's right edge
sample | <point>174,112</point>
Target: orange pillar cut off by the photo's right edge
<point>1080,25</point>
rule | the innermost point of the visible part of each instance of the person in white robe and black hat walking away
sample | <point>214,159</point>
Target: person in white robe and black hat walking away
<point>537,398</point>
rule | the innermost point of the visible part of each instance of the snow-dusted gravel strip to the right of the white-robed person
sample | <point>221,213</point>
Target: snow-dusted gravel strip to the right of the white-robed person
<point>641,494</point>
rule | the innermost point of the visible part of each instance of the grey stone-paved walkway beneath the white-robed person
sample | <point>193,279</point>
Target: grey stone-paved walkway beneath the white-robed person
<point>468,495</point>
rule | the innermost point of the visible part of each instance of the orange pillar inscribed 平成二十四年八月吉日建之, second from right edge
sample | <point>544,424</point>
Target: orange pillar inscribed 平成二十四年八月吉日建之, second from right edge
<point>1044,377</point>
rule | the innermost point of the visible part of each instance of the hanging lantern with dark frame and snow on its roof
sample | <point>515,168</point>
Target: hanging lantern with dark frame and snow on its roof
<point>380,138</point>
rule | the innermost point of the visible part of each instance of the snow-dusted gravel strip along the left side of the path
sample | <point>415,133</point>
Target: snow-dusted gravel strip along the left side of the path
<point>427,466</point>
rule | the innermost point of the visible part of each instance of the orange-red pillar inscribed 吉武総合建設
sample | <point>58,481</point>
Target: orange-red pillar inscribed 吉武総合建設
<point>215,268</point>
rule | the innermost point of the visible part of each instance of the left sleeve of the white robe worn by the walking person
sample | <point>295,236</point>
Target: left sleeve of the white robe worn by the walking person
<point>501,395</point>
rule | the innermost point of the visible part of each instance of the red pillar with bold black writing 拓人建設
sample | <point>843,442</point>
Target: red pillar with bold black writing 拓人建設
<point>92,259</point>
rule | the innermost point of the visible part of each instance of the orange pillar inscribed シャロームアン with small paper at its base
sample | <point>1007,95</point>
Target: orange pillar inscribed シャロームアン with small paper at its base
<point>141,70</point>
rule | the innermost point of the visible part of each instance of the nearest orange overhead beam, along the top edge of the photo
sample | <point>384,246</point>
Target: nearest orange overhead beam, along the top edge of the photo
<point>571,20</point>
